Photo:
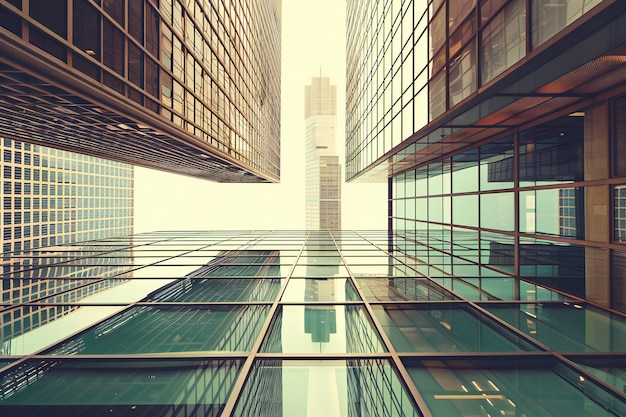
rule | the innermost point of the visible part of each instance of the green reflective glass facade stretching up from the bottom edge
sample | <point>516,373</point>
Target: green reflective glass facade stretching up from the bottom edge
<point>350,327</point>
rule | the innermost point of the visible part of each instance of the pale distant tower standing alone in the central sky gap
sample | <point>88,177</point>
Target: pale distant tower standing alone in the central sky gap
<point>322,167</point>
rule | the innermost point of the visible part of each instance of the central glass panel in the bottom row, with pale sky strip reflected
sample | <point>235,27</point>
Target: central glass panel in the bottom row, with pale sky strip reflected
<point>324,388</point>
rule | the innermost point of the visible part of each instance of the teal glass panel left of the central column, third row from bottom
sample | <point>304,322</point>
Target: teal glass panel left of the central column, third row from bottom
<point>219,290</point>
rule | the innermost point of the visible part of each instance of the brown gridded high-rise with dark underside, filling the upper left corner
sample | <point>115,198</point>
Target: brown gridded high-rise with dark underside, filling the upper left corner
<point>191,87</point>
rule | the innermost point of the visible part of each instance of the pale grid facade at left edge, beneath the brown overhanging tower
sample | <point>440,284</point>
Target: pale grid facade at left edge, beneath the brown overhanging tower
<point>52,197</point>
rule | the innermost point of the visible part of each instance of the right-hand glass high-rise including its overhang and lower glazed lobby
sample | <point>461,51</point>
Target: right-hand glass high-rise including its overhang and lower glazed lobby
<point>501,129</point>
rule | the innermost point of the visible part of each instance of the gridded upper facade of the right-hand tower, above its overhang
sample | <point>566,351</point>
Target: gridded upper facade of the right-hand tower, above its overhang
<point>415,68</point>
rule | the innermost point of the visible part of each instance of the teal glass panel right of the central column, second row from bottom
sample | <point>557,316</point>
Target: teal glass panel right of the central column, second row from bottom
<point>443,329</point>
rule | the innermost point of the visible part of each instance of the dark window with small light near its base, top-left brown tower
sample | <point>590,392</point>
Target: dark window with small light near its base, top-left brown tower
<point>86,29</point>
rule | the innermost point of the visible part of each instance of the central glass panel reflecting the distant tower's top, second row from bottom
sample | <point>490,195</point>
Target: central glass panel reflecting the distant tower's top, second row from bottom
<point>322,329</point>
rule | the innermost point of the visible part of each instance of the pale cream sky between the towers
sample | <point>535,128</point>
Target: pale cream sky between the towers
<point>313,40</point>
